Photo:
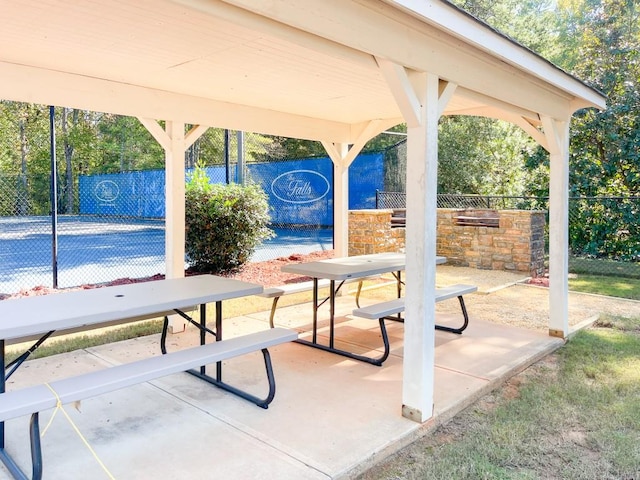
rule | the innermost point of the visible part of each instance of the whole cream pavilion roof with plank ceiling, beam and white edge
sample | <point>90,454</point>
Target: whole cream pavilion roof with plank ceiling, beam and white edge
<point>297,68</point>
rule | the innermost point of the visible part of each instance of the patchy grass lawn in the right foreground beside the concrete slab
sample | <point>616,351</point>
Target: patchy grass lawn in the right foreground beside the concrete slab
<point>574,415</point>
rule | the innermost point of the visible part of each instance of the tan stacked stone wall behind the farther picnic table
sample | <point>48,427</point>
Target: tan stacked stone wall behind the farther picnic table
<point>517,244</point>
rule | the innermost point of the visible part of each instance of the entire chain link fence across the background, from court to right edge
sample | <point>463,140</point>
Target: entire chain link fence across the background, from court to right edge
<point>102,244</point>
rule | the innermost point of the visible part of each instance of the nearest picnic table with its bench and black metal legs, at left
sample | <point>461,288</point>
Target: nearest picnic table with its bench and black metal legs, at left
<point>40,317</point>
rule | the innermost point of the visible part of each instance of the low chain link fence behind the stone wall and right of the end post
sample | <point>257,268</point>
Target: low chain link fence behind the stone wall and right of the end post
<point>604,232</point>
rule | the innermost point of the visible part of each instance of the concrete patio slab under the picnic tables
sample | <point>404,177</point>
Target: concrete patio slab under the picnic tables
<point>332,417</point>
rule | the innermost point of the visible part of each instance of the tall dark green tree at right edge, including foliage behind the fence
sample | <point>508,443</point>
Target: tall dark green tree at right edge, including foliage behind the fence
<point>604,158</point>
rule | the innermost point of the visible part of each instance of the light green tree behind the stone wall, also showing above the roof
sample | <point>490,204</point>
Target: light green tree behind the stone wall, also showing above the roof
<point>485,156</point>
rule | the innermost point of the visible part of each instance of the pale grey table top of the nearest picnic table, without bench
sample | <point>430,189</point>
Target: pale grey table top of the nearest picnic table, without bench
<point>28,316</point>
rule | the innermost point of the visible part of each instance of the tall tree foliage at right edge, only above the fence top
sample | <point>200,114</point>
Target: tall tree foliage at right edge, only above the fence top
<point>604,144</point>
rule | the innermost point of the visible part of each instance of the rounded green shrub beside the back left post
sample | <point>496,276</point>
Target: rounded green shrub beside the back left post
<point>224,224</point>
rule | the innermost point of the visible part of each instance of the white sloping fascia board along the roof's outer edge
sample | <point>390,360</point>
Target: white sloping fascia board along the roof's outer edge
<point>475,32</point>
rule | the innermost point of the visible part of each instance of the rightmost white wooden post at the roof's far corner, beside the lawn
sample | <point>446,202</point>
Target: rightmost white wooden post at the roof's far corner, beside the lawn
<point>557,134</point>
